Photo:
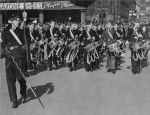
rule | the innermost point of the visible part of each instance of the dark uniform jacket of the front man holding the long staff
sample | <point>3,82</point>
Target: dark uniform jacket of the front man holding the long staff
<point>9,42</point>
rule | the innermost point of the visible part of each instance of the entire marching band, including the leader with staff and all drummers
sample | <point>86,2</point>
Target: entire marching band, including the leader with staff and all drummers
<point>27,45</point>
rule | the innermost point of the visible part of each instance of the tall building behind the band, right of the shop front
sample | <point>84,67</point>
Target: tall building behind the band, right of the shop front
<point>113,9</point>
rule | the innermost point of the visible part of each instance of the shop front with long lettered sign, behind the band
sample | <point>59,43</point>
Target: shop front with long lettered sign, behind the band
<point>61,11</point>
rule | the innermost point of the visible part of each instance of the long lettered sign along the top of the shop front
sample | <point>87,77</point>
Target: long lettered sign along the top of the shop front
<point>36,5</point>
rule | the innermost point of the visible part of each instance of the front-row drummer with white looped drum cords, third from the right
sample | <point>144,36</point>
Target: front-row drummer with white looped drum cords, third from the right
<point>91,58</point>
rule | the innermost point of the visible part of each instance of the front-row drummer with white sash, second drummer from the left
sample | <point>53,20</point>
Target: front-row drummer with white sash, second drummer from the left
<point>51,48</point>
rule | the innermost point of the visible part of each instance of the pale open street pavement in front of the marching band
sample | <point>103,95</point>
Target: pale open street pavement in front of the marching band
<point>83,93</point>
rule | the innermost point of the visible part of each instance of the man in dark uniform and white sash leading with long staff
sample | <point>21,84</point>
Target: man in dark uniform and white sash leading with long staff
<point>13,49</point>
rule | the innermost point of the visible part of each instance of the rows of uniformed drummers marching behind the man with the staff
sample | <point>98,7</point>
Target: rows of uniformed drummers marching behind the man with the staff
<point>75,44</point>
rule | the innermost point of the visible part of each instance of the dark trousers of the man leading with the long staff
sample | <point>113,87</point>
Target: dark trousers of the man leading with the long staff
<point>13,74</point>
